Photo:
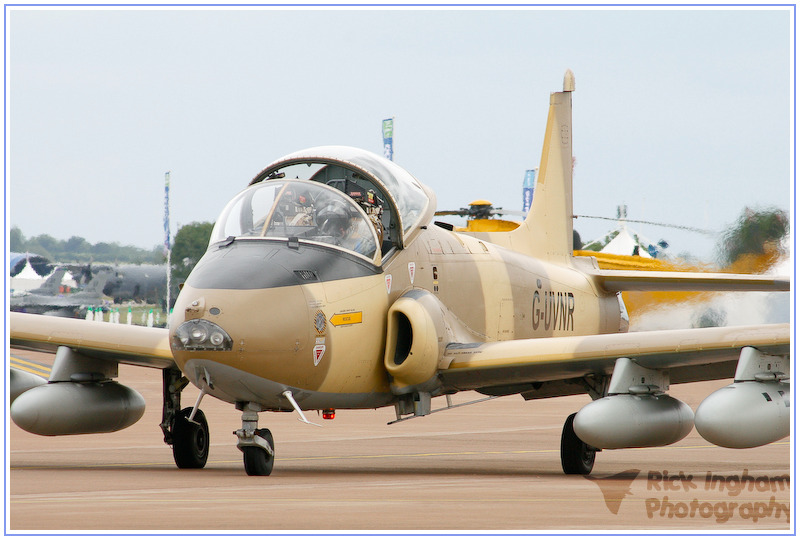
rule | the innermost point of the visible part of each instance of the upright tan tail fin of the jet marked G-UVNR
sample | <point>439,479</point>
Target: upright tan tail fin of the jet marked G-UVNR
<point>547,231</point>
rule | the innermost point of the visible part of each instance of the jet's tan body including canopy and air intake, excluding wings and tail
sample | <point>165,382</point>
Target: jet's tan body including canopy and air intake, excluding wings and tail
<point>326,277</point>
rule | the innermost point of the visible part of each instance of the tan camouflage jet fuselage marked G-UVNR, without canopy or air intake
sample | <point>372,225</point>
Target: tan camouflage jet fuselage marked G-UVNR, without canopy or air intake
<point>313,318</point>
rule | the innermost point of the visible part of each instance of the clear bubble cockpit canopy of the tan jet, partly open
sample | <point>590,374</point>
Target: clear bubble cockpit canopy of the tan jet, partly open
<point>340,196</point>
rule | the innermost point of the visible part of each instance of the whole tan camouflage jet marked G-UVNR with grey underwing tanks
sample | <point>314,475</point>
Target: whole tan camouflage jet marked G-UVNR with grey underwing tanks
<point>326,286</point>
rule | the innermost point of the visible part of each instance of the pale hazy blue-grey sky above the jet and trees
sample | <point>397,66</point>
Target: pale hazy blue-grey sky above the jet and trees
<point>685,115</point>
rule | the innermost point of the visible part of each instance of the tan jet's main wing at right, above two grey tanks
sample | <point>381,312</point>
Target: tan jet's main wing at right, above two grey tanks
<point>548,367</point>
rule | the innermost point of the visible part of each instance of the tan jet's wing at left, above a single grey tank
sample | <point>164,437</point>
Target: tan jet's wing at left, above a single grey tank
<point>125,344</point>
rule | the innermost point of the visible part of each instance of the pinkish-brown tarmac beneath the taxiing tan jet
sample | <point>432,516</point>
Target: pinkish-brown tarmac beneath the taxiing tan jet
<point>492,466</point>
